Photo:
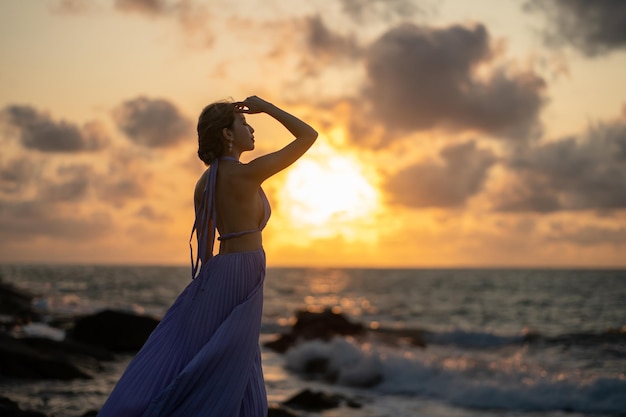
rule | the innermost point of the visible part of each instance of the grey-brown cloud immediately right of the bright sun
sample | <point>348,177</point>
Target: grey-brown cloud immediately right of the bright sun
<point>460,174</point>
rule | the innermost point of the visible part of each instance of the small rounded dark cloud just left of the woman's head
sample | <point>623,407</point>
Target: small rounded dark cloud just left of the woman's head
<point>152,122</point>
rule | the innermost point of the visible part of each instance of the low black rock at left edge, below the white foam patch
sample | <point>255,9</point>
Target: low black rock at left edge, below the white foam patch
<point>42,358</point>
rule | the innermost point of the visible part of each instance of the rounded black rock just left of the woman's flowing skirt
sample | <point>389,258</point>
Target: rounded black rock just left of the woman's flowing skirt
<point>114,330</point>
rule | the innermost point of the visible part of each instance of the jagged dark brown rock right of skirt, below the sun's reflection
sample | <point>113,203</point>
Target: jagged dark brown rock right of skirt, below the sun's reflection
<point>311,325</point>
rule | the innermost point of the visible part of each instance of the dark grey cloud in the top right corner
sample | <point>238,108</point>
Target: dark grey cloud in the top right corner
<point>593,27</point>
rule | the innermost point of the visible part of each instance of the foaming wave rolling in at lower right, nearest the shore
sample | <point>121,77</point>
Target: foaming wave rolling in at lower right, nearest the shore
<point>460,379</point>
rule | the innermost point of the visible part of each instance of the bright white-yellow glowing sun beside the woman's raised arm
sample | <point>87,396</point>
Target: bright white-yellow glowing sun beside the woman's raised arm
<point>328,189</point>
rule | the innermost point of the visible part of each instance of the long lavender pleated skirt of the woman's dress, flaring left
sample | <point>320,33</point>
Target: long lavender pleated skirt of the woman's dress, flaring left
<point>203,359</point>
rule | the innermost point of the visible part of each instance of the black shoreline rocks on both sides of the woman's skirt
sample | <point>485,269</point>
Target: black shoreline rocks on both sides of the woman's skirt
<point>90,340</point>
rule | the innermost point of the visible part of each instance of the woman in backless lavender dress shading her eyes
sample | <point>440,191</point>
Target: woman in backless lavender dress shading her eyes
<point>204,359</point>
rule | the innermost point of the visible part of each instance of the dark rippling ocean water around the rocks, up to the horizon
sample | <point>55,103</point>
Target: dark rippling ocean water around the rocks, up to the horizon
<point>499,342</point>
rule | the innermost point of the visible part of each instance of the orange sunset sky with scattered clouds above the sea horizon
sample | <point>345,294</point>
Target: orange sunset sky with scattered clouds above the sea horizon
<point>489,133</point>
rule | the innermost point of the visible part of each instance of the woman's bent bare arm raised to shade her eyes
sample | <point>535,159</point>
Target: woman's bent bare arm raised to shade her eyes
<point>265,166</point>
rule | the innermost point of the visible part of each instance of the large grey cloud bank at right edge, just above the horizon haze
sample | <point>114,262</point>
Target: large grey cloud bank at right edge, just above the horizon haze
<point>572,173</point>
